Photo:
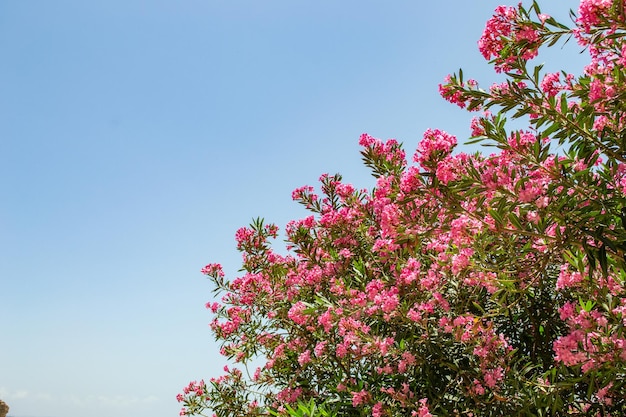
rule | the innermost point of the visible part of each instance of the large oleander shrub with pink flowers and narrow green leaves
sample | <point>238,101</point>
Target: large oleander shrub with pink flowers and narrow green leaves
<point>461,285</point>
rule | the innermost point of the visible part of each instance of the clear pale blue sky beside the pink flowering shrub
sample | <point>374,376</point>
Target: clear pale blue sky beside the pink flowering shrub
<point>136,136</point>
